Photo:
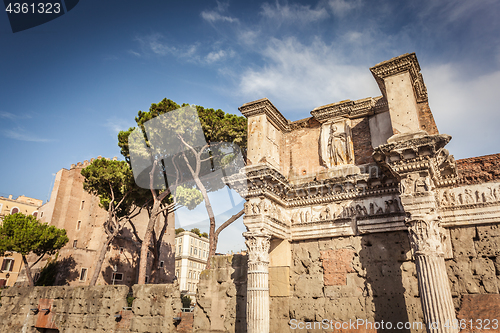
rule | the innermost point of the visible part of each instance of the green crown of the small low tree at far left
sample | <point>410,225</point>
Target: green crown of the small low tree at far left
<point>25,234</point>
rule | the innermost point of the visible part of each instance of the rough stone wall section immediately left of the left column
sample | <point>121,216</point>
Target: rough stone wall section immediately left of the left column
<point>221,297</point>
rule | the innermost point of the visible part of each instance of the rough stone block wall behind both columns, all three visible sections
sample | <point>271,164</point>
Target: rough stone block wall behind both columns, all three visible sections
<point>369,277</point>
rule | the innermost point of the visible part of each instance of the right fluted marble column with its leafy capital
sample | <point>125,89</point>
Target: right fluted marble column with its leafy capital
<point>435,294</point>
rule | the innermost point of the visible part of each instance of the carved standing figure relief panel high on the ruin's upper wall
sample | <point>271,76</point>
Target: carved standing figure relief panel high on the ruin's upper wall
<point>335,145</point>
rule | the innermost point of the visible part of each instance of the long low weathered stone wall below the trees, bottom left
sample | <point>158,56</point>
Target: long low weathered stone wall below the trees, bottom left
<point>90,309</point>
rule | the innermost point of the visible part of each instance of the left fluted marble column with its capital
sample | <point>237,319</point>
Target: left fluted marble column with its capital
<point>258,282</point>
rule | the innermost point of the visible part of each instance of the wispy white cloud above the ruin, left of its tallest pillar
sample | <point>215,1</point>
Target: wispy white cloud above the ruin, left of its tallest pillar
<point>305,76</point>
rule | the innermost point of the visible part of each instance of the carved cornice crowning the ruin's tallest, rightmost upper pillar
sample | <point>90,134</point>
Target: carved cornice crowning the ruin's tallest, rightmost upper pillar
<point>404,63</point>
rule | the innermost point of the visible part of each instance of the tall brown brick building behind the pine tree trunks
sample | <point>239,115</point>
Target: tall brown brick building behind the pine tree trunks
<point>72,208</point>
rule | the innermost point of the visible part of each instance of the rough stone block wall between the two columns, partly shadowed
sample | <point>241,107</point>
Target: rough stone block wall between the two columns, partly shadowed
<point>368,277</point>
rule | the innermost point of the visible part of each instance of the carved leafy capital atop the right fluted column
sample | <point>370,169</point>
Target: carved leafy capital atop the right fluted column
<point>425,233</point>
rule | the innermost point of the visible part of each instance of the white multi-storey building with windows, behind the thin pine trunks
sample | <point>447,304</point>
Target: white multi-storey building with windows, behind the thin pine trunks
<point>191,254</point>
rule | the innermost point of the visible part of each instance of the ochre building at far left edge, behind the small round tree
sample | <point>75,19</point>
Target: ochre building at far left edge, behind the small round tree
<point>12,264</point>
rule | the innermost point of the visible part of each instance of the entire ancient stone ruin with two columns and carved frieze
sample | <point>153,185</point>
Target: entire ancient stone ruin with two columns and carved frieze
<point>359,212</point>
